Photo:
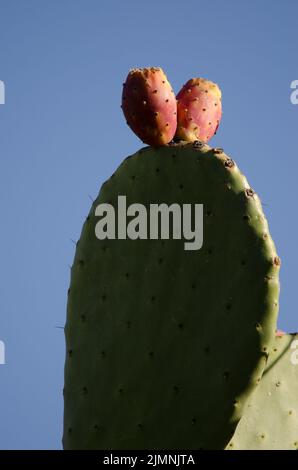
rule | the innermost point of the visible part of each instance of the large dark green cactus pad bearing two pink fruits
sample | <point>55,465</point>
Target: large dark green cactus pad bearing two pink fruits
<point>165,345</point>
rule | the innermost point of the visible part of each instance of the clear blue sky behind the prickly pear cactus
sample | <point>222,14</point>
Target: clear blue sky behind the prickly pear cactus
<point>62,134</point>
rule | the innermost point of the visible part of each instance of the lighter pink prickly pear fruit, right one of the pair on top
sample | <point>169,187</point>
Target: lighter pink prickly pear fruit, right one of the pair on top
<point>198,110</point>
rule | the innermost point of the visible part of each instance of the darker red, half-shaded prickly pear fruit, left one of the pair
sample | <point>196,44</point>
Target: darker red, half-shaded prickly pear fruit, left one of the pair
<point>149,106</point>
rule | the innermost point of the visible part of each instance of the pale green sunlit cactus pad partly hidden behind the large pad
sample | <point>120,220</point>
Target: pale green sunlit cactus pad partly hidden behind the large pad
<point>270,421</point>
